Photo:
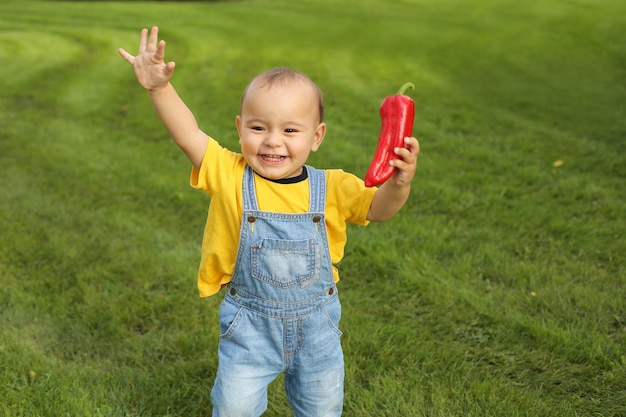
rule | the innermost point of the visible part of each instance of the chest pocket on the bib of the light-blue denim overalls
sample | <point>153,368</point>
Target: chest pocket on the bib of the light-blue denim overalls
<point>286,263</point>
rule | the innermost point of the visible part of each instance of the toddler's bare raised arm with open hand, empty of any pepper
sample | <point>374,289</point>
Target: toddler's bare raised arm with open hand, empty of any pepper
<point>154,74</point>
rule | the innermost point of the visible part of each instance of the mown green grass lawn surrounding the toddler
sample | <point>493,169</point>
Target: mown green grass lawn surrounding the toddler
<point>499,290</point>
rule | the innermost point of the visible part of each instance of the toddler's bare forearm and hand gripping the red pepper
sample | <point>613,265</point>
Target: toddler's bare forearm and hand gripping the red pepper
<point>392,195</point>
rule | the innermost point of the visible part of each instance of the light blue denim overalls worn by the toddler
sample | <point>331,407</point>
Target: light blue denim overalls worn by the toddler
<point>281,312</point>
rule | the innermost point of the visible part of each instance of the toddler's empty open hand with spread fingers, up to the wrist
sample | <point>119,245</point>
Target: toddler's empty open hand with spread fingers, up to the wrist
<point>151,70</point>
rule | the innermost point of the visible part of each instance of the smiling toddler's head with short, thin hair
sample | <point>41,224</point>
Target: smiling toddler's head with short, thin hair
<point>279,127</point>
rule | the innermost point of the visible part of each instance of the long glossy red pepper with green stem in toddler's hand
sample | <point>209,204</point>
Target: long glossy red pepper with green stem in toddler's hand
<point>397,113</point>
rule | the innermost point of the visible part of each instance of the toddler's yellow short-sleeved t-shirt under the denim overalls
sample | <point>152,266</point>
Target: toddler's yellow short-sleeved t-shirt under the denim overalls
<point>221,176</point>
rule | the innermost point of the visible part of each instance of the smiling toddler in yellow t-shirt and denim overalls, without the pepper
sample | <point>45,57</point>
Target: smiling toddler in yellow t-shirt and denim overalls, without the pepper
<point>274,230</point>
